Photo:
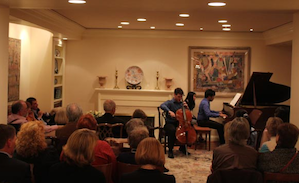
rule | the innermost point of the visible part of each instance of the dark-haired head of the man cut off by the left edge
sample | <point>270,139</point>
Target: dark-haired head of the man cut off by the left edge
<point>7,138</point>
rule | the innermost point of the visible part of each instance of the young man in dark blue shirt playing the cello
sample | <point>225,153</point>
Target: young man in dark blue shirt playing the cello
<point>170,107</point>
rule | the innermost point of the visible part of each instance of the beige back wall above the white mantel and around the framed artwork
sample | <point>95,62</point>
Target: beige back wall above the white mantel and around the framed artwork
<point>101,52</point>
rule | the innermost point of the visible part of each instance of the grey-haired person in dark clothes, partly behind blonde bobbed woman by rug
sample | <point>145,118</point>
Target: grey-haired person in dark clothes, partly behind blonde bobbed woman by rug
<point>135,137</point>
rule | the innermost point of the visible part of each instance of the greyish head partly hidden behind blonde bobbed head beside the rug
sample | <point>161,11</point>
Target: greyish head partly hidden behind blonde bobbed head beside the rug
<point>137,135</point>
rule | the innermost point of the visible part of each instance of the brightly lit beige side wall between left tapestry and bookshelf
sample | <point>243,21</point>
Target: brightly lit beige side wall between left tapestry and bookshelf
<point>36,63</point>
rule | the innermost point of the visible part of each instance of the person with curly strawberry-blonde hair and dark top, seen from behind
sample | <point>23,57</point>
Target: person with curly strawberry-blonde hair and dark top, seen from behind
<point>31,147</point>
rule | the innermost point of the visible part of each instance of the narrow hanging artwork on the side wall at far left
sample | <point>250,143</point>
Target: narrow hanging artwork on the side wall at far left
<point>14,56</point>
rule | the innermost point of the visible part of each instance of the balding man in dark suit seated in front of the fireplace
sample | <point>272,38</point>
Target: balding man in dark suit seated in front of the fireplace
<point>108,117</point>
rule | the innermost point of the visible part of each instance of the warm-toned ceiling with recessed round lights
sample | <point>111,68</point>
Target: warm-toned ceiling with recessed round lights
<point>261,15</point>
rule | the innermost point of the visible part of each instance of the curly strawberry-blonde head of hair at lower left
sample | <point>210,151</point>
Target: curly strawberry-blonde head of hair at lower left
<point>31,139</point>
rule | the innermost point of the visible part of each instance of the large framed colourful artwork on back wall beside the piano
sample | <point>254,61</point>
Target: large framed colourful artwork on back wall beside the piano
<point>225,70</point>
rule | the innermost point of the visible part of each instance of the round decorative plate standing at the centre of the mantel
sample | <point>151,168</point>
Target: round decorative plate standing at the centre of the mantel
<point>134,75</point>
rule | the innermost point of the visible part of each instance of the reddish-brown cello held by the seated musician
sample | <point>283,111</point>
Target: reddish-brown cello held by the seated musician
<point>185,133</point>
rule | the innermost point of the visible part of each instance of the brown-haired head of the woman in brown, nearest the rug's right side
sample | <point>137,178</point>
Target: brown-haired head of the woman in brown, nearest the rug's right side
<point>238,131</point>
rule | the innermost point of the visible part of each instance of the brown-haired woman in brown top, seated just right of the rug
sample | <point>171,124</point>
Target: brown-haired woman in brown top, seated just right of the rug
<point>236,154</point>
